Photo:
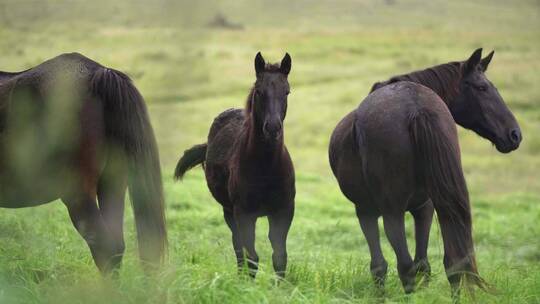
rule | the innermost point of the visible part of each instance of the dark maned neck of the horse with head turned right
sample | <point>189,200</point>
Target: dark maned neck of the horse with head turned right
<point>443,79</point>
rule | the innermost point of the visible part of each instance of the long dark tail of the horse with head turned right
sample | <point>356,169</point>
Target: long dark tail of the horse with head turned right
<point>438,169</point>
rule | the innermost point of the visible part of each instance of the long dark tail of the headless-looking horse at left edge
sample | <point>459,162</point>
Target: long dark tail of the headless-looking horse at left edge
<point>127,125</point>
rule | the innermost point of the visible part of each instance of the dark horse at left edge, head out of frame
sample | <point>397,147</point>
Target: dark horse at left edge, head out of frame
<point>74,130</point>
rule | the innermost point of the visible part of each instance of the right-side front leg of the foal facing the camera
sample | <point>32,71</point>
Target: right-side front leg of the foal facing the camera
<point>279,223</point>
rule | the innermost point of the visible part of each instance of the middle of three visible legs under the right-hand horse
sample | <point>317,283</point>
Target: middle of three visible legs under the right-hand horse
<point>394,227</point>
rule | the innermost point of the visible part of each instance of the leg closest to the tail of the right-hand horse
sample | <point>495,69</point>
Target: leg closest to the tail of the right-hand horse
<point>423,217</point>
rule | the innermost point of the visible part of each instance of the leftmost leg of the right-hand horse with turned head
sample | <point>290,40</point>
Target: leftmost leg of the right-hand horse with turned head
<point>370,228</point>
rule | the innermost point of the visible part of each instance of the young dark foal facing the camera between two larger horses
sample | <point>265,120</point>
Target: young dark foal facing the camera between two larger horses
<point>247,166</point>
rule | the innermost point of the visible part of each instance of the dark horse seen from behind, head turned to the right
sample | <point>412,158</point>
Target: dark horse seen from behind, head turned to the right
<point>399,151</point>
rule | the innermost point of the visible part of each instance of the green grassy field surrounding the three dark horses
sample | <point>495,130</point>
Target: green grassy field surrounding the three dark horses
<point>189,73</point>
